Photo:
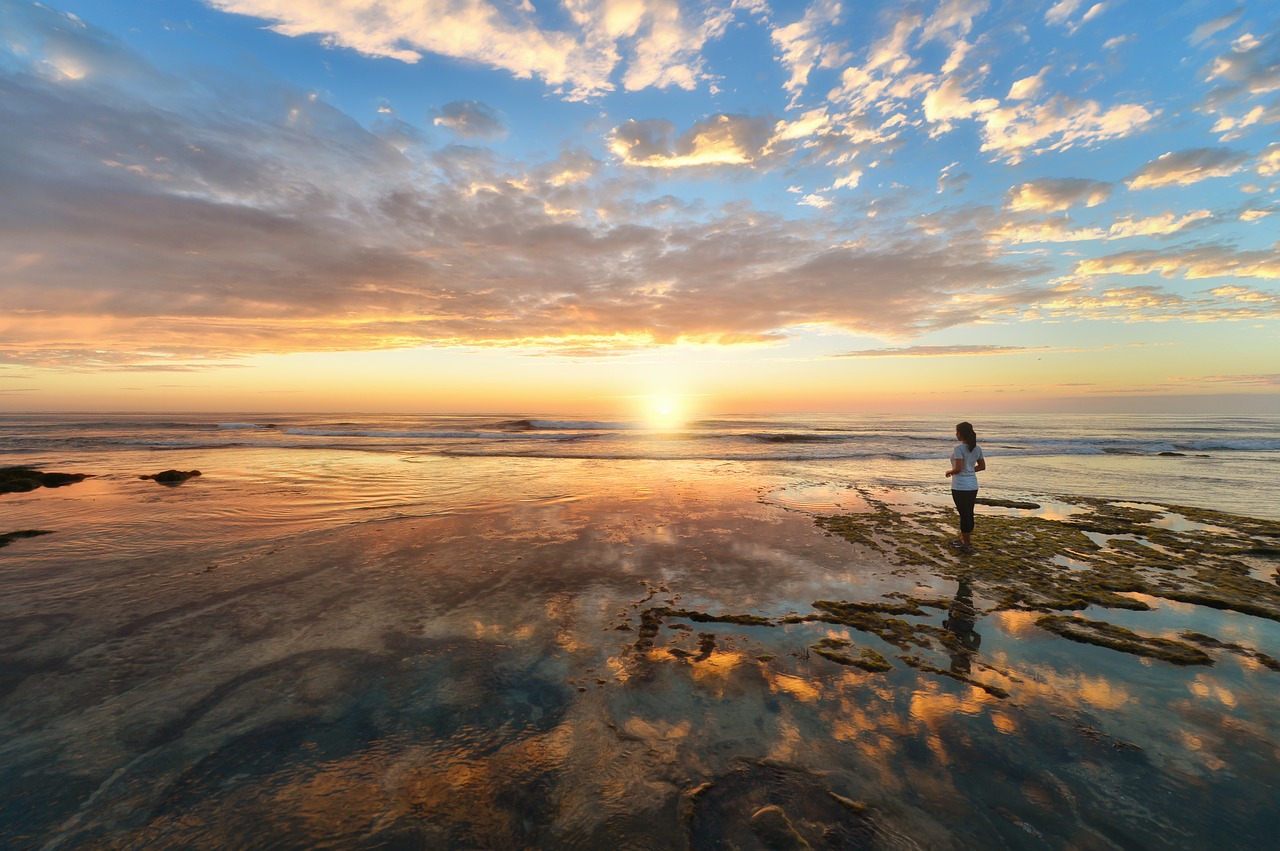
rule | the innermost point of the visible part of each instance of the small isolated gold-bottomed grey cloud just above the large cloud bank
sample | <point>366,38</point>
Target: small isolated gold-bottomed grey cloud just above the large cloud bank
<point>721,140</point>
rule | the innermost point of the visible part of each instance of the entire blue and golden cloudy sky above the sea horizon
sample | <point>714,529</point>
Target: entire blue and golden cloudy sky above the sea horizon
<point>601,205</point>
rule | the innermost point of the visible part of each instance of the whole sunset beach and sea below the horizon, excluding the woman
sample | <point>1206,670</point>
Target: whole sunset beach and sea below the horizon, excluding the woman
<point>580,634</point>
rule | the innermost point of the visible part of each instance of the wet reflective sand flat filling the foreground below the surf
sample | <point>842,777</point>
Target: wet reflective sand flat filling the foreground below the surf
<point>656,665</point>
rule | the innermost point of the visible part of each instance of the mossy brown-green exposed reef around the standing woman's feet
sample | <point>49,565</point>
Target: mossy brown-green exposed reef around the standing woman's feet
<point>1104,555</point>
